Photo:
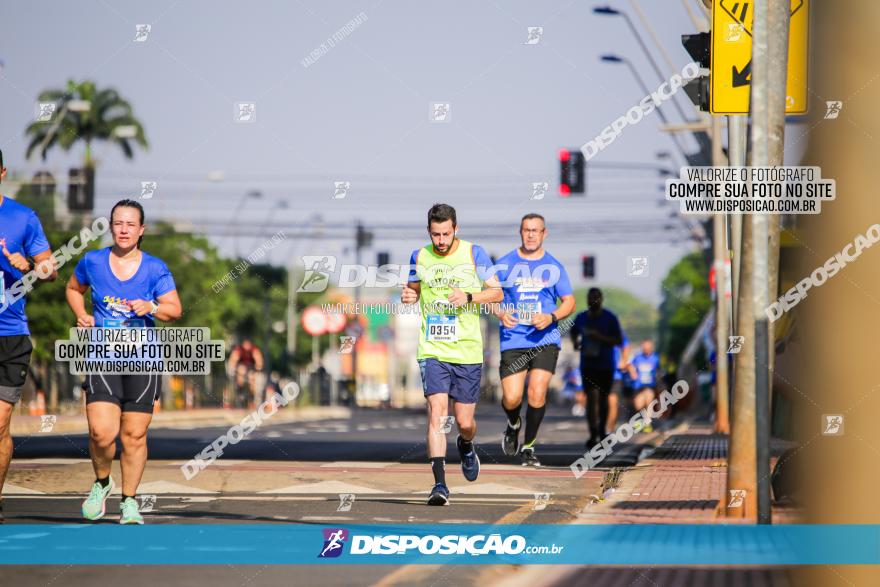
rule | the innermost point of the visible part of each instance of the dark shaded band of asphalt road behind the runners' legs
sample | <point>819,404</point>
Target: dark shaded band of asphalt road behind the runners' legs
<point>369,435</point>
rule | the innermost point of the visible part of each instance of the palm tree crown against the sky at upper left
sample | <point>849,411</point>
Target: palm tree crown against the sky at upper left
<point>83,113</point>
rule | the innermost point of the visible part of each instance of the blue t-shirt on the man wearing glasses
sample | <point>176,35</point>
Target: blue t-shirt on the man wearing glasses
<point>532,286</point>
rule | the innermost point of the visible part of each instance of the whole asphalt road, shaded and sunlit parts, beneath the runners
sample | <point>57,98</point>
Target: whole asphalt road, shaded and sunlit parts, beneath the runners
<point>297,473</point>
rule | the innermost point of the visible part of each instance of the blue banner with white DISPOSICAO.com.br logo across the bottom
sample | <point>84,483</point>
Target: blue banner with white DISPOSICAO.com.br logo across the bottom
<point>282,544</point>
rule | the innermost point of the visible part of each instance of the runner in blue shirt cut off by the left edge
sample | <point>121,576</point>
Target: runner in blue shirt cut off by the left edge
<point>21,236</point>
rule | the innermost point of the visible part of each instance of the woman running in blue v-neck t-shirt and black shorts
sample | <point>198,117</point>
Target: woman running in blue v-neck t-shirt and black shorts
<point>130,289</point>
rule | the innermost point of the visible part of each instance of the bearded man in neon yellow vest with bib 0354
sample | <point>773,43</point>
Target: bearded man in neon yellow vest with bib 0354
<point>450,278</point>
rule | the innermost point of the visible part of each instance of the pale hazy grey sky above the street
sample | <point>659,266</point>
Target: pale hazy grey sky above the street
<point>360,113</point>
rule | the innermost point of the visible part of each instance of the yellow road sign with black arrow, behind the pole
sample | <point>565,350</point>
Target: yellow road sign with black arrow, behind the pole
<point>731,67</point>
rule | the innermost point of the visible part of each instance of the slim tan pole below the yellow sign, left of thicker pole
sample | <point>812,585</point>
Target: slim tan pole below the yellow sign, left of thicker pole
<point>719,247</point>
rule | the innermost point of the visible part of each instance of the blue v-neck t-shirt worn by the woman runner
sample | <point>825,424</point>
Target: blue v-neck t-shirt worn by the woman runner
<point>110,296</point>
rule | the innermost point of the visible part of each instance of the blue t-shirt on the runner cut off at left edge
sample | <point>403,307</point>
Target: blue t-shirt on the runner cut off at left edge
<point>23,233</point>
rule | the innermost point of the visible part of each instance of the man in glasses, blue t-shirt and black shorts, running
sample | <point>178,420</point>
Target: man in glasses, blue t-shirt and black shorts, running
<point>533,281</point>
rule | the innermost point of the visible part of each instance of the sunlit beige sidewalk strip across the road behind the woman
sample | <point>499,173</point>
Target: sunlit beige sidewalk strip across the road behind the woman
<point>202,417</point>
